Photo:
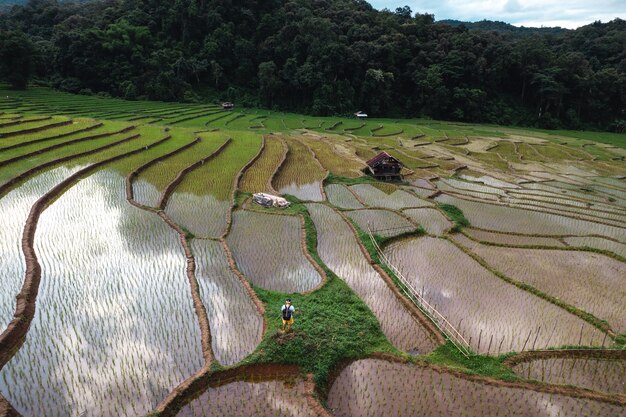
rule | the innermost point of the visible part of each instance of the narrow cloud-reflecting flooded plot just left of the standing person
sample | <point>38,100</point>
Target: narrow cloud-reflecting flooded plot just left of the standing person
<point>236,324</point>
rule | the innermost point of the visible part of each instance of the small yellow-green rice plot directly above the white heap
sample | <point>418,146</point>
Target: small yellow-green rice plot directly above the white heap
<point>258,177</point>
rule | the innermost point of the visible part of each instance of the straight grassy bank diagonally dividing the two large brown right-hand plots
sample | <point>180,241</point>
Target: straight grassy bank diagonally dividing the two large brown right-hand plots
<point>601,325</point>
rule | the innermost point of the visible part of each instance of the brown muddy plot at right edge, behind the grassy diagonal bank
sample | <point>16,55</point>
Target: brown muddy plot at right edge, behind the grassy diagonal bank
<point>592,282</point>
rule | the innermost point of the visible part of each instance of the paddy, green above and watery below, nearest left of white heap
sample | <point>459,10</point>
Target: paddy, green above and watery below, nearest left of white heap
<point>202,201</point>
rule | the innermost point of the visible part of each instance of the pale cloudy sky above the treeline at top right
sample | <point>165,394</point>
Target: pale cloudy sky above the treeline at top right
<point>530,13</point>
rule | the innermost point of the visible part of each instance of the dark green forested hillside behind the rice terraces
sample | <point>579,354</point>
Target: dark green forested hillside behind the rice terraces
<point>321,57</point>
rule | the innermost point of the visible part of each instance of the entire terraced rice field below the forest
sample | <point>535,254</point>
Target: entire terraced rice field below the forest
<point>491,280</point>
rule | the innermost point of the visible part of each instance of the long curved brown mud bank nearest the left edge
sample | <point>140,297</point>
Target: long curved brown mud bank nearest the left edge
<point>14,335</point>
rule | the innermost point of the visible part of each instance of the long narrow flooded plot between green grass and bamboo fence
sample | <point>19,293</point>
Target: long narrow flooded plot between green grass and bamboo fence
<point>338,248</point>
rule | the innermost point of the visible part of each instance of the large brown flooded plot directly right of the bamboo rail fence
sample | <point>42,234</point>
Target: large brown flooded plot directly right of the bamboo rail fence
<point>492,315</point>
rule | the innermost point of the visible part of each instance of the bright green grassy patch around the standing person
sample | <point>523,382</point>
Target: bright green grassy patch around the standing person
<point>332,324</point>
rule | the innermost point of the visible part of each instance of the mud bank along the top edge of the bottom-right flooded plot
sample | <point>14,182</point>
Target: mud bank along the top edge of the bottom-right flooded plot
<point>541,387</point>
